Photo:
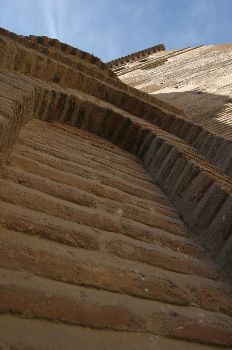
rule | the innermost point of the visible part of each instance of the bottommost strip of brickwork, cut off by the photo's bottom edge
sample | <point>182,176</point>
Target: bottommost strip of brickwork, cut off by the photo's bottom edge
<point>63,336</point>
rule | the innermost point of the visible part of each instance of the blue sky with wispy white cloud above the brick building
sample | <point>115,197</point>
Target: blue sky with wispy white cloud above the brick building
<point>114,28</point>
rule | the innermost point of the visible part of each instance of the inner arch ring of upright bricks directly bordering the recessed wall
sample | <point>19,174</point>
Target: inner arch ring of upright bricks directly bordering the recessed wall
<point>191,184</point>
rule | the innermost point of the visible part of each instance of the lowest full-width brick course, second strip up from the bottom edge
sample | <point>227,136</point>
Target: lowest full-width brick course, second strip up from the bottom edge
<point>56,301</point>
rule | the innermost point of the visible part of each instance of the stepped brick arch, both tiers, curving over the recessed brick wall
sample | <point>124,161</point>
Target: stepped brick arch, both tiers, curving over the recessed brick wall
<point>105,109</point>
